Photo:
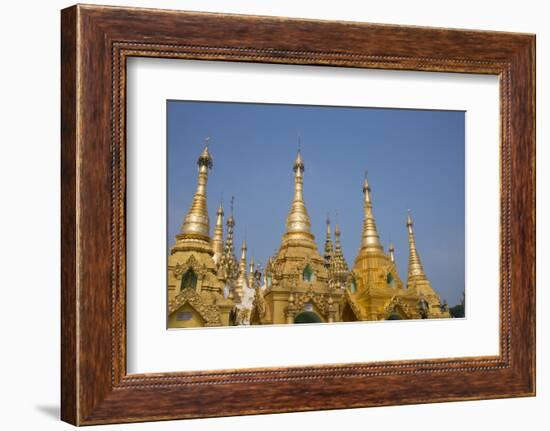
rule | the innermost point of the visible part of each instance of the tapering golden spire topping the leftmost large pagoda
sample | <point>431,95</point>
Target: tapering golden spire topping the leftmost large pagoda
<point>196,224</point>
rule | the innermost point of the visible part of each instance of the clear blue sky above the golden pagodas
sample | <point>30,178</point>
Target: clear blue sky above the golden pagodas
<point>414,158</point>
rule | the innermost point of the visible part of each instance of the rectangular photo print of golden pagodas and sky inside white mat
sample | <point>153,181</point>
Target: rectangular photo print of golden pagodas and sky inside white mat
<point>294,214</point>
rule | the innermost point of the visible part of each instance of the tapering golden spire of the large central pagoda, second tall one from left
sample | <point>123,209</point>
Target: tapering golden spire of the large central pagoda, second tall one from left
<point>297,222</point>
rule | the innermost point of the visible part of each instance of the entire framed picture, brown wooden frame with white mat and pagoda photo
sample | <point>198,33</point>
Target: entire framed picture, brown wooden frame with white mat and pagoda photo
<point>263,214</point>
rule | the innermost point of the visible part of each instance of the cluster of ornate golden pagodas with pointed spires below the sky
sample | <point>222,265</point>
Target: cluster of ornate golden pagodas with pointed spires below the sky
<point>207,286</point>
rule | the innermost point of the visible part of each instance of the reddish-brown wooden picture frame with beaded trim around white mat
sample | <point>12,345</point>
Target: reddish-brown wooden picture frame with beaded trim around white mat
<point>95,43</point>
